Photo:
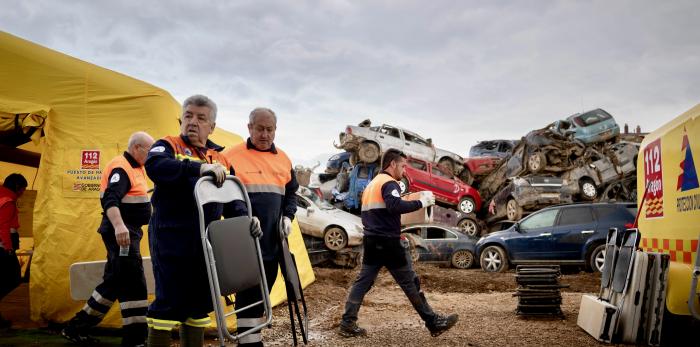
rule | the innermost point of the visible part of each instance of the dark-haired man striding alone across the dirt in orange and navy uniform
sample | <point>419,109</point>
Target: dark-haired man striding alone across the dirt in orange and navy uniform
<point>382,207</point>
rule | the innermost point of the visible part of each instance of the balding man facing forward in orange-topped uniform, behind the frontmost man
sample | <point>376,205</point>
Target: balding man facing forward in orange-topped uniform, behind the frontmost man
<point>267,174</point>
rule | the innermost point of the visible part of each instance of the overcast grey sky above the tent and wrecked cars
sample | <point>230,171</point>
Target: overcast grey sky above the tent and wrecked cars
<point>455,71</point>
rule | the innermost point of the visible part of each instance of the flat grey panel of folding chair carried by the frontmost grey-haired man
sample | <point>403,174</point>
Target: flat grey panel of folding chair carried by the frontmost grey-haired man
<point>236,257</point>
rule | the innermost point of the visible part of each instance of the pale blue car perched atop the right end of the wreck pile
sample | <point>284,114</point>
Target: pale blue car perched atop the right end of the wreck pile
<point>593,126</point>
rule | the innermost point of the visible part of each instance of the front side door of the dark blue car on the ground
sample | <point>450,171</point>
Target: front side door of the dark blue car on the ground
<point>534,236</point>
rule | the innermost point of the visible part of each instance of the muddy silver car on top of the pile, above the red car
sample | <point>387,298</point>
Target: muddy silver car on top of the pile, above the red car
<point>368,143</point>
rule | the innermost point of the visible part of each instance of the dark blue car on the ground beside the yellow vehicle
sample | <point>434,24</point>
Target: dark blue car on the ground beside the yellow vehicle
<point>564,234</point>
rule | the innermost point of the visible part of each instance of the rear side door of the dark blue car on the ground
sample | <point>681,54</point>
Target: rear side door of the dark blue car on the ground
<point>574,227</point>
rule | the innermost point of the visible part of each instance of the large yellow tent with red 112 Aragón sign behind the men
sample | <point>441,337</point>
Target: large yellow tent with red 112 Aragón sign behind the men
<point>78,117</point>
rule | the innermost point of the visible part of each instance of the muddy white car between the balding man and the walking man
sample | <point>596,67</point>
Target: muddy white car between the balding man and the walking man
<point>318,218</point>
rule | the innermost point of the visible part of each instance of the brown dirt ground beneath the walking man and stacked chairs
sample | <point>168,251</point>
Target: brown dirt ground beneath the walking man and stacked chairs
<point>484,302</point>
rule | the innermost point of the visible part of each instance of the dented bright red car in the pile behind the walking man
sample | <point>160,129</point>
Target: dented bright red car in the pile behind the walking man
<point>448,190</point>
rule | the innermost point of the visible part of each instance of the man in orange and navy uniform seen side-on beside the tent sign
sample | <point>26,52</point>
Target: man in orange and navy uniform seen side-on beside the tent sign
<point>126,206</point>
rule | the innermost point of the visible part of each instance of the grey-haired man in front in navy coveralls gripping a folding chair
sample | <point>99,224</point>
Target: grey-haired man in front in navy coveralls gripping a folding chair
<point>174,164</point>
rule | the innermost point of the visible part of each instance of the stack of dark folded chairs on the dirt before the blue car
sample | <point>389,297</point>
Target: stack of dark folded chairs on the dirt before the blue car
<point>538,291</point>
